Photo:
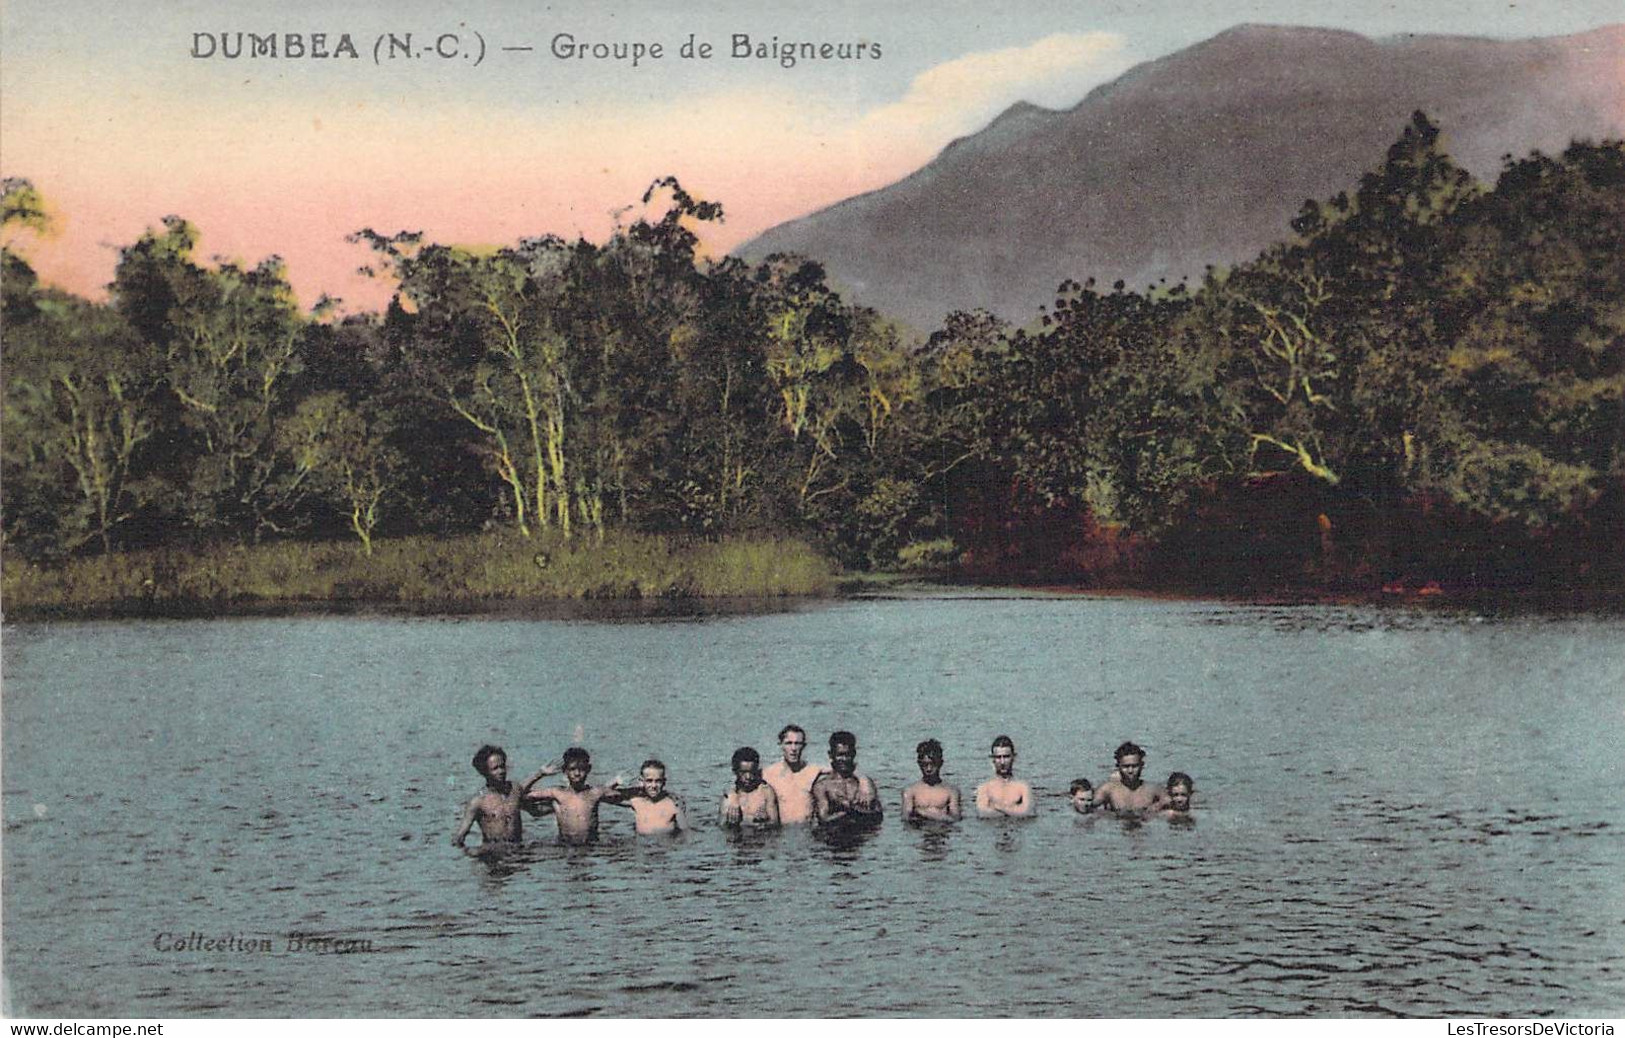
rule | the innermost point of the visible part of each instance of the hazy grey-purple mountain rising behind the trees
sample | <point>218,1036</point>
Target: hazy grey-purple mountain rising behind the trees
<point>1197,158</point>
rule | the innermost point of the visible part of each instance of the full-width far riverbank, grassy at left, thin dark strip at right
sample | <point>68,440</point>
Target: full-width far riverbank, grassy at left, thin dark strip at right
<point>622,577</point>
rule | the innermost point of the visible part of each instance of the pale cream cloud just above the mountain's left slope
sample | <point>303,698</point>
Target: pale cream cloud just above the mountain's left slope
<point>964,95</point>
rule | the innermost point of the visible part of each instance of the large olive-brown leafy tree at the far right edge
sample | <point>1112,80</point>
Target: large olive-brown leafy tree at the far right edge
<point>1536,357</point>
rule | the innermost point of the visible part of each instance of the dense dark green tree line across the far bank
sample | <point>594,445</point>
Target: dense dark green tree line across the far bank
<point>1426,374</point>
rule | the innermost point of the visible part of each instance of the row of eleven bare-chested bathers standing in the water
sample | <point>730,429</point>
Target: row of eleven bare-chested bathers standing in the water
<point>794,792</point>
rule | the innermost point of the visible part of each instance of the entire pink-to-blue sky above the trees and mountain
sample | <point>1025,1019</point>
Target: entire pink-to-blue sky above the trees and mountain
<point>493,131</point>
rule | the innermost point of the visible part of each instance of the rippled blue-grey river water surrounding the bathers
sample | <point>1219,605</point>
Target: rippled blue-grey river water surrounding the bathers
<point>1398,815</point>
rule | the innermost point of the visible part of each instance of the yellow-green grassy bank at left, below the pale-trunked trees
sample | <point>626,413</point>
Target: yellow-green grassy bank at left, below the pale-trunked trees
<point>415,573</point>
